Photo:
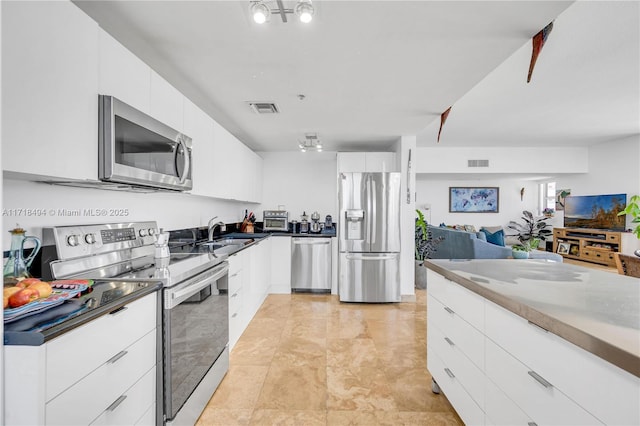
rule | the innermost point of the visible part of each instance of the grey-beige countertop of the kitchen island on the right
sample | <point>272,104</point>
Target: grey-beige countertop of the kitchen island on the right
<point>596,310</point>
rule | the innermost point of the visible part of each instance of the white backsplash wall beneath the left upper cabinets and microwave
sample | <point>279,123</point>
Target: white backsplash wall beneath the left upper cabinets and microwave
<point>171,210</point>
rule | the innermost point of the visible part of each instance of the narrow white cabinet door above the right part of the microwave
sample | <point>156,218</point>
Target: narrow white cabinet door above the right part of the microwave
<point>166,103</point>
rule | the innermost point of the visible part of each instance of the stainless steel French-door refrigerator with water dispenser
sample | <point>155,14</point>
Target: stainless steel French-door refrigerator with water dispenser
<point>369,237</point>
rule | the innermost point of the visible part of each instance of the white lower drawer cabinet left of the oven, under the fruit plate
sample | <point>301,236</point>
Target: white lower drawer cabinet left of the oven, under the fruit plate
<point>103,372</point>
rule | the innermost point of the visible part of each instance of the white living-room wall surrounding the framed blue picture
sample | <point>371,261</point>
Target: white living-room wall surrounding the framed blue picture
<point>434,193</point>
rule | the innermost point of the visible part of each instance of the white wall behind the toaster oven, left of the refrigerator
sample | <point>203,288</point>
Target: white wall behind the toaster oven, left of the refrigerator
<point>300,181</point>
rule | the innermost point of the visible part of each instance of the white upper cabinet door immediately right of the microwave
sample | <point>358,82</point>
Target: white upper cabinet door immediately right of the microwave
<point>199,126</point>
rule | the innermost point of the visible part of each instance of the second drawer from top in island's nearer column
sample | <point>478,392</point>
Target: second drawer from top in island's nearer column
<point>542,401</point>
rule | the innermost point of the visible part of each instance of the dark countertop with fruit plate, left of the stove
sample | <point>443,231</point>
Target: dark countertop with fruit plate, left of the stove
<point>103,297</point>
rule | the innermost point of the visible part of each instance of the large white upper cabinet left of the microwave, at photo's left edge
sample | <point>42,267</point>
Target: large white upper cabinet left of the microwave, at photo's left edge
<point>49,90</point>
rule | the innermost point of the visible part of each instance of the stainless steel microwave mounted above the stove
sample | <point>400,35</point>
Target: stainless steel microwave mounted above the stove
<point>137,149</point>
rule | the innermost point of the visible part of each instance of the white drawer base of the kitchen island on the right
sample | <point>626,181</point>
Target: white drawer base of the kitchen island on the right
<point>491,362</point>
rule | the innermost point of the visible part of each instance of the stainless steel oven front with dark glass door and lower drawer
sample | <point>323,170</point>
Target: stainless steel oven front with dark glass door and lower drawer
<point>196,336</point>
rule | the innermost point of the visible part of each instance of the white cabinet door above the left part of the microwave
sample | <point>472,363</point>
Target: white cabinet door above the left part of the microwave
<point>122,74</point>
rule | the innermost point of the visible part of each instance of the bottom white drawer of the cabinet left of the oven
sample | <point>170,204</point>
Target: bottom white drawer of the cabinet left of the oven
<point>133,404</point>
